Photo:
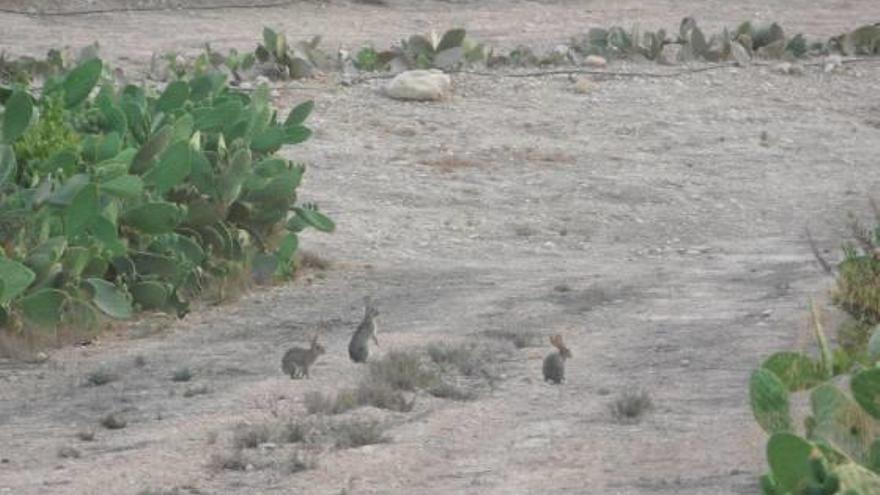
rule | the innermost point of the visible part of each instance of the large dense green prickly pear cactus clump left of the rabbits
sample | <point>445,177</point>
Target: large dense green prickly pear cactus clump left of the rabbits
<point>120,198</point>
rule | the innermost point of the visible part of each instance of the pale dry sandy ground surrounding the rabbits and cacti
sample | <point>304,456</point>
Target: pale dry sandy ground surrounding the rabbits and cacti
<point>678,230</point>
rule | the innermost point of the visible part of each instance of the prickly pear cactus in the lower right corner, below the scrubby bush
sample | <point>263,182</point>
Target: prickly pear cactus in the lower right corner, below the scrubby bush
<point>838,449</point>
